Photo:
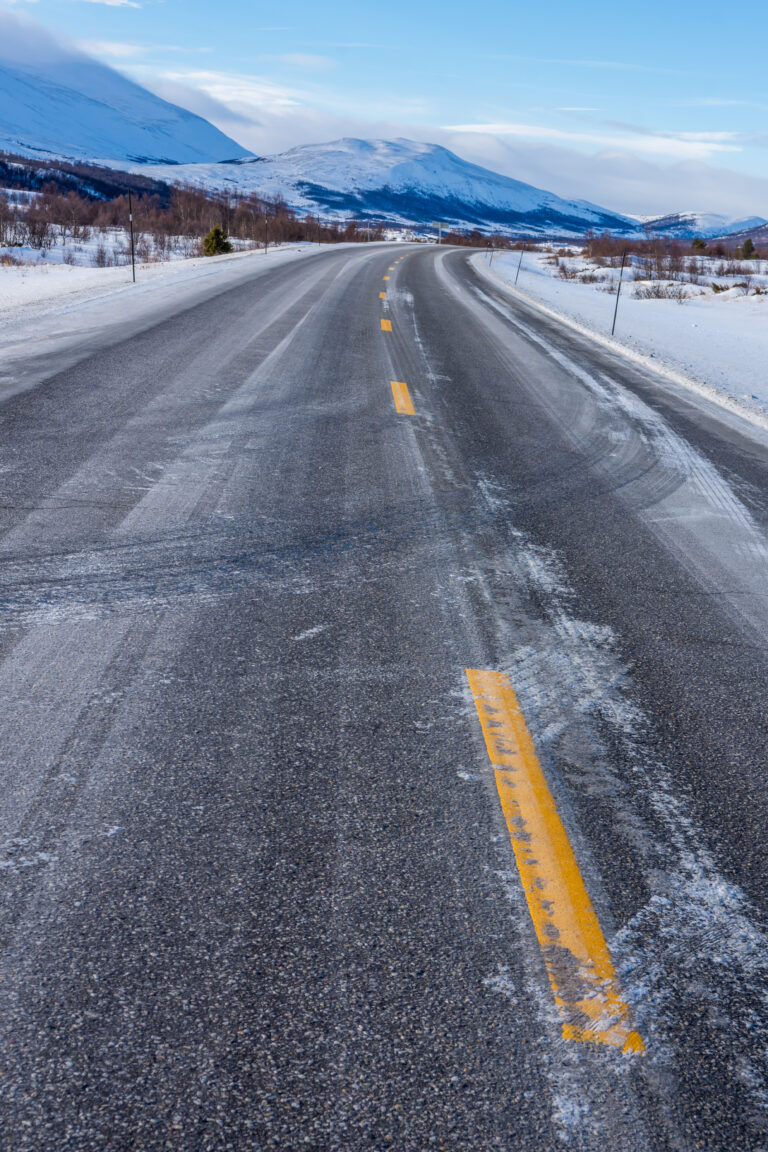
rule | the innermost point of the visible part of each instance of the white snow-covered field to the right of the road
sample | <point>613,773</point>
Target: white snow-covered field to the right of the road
<point>714,340</point>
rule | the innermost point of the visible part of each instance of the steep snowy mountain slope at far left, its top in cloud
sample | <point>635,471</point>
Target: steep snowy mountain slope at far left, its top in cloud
<point>58,102</point>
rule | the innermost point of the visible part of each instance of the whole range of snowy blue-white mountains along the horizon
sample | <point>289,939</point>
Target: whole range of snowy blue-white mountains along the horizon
<point>72,107</point>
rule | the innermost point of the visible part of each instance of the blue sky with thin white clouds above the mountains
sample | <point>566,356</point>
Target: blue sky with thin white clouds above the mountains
<point>643,108</point>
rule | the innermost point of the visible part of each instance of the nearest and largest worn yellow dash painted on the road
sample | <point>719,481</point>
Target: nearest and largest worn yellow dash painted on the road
<point>579,962</point>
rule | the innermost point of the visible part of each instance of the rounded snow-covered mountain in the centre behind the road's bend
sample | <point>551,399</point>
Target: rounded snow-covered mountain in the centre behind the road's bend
<point>402,181</point>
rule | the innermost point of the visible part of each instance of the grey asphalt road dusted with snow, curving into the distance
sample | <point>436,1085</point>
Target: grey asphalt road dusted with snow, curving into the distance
<point>258,889</point>
